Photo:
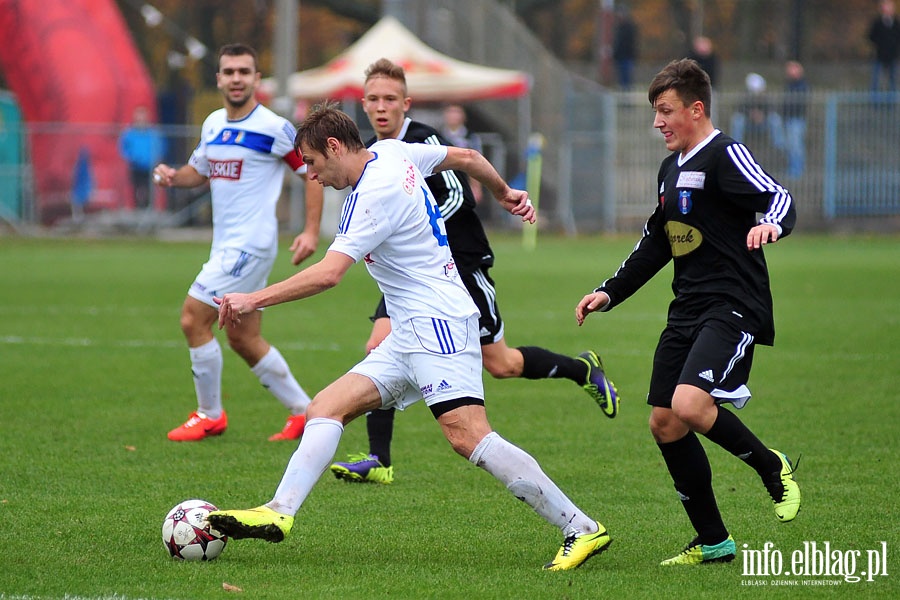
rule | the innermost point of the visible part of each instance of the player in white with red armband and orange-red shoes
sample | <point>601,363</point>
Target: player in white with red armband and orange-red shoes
<point>242,153</point>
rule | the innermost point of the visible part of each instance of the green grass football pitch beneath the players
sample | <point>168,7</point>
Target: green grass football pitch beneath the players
<point>94,372</point>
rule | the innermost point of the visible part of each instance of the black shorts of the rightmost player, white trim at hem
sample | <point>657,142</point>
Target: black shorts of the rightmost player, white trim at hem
<point>714,355</point>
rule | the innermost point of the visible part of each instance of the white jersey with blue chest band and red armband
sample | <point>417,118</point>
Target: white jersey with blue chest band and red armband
<point>244,161</point>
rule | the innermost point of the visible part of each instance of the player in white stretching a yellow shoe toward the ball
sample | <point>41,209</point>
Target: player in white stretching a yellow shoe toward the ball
<point>391,222</point>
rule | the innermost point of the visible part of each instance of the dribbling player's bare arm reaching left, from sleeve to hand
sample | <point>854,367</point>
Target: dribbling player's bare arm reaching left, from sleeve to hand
<point>313,280</point>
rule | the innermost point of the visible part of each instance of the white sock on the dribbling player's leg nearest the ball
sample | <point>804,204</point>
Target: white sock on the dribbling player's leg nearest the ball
<point>315,452</point>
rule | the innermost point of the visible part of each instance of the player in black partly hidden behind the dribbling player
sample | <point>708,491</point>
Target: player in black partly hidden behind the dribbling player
<point>386,103</point>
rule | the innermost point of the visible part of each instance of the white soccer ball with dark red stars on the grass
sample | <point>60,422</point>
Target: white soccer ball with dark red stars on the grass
<point>187,535</point>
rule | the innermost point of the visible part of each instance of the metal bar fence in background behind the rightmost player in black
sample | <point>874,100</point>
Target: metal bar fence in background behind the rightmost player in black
<point>849,175</point>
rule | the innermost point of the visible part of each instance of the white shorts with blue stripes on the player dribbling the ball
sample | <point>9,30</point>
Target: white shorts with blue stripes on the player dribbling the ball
<point>426,359</point>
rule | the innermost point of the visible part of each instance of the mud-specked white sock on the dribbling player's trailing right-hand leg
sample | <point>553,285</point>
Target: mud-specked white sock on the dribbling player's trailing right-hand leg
<point>522,476</point>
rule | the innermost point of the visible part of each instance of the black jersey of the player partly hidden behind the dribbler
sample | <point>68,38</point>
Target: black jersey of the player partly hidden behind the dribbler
<point>453,194</point>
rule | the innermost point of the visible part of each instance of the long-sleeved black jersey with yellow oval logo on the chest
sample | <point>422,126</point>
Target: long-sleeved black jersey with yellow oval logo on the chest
<point>708,202</point>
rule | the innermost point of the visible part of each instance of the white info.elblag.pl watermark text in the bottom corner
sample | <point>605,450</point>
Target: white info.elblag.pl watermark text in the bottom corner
<point>812,562</point>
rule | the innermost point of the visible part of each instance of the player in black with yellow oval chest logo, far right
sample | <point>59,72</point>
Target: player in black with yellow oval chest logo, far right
<point>710,192</point>
